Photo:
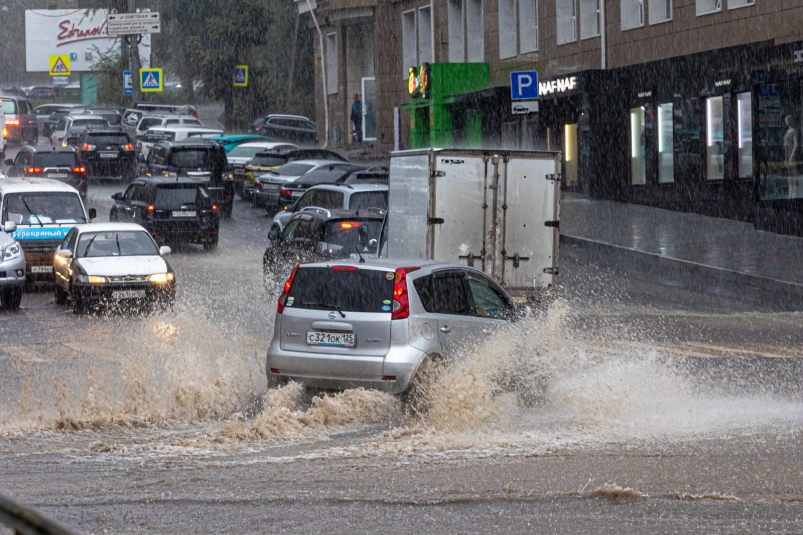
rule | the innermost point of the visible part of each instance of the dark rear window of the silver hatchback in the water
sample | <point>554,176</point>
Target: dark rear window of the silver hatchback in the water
<point>345,287</point>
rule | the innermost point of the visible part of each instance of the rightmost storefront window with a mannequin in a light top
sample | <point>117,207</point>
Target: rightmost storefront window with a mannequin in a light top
<point>780,110</point>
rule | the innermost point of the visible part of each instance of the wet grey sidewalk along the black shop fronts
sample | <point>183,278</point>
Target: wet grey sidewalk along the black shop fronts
<point>724,249</point>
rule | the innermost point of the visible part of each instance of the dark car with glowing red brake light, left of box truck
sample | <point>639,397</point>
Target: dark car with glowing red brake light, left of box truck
<point>318,235</point>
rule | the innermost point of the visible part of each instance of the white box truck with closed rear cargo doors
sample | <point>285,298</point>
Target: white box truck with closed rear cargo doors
<point>493,210</point>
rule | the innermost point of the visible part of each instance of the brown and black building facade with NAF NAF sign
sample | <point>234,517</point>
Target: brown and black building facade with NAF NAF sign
<point>692,105</point>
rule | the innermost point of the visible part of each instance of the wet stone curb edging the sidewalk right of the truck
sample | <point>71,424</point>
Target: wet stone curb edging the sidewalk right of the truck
<point>700,277</point>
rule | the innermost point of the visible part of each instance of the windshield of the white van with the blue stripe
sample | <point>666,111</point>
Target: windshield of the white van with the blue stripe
<point>35,208</point>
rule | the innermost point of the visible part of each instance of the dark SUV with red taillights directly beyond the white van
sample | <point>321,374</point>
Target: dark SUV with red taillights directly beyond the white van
<point>46,161</point>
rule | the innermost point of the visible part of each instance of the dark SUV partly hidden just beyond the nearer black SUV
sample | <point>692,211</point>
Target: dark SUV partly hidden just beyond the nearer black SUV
<point>198,159</point>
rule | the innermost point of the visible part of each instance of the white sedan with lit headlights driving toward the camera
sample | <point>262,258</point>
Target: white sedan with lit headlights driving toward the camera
<point>112,263</point>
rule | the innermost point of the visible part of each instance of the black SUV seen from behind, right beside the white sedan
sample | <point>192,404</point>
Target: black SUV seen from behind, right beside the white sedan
<point>173,210</point>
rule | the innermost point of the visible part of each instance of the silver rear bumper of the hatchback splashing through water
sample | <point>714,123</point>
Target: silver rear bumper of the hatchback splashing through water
<point>338,372</point>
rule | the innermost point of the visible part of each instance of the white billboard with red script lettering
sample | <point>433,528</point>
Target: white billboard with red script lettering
<point>81,33</point>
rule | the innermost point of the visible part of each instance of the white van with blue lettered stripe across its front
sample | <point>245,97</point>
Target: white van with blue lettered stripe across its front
<point>44,211</point>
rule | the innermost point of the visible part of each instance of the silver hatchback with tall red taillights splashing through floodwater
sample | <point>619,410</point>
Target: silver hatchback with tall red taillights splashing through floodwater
<point>348,324</point>
